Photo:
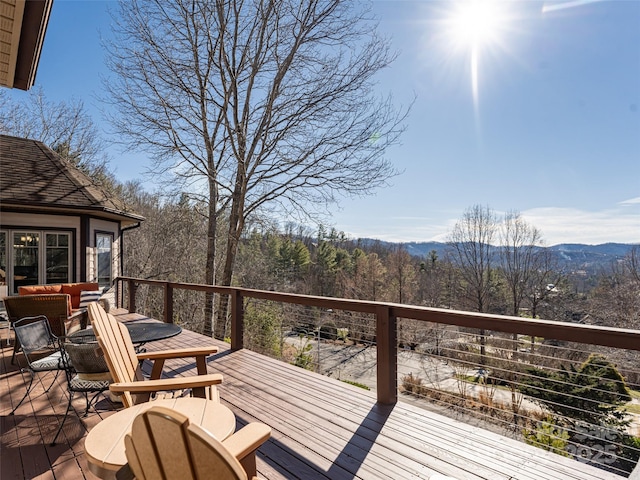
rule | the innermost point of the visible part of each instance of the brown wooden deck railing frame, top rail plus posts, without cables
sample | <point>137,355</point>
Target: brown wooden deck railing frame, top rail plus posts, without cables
<point>386,315</point>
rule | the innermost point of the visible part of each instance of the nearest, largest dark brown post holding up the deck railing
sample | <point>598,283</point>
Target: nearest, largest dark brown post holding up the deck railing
<point>387,362</point>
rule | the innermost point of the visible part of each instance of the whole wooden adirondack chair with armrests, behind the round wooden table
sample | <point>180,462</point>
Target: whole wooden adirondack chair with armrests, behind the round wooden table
<point>124,364</point>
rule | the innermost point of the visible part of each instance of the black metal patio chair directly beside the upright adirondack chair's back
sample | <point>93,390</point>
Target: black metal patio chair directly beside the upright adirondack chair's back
<point>86,372</point>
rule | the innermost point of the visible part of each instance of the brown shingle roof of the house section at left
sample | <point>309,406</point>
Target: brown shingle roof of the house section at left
<point>34,177</point>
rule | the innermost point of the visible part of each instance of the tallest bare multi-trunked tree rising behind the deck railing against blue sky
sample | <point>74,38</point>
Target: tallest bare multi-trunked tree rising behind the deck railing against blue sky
<point>254,105</point>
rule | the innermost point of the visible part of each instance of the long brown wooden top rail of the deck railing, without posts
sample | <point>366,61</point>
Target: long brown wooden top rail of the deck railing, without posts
<point>588,334</point>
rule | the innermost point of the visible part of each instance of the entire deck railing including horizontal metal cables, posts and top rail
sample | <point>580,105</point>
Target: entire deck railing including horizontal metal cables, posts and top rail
<point>570,389</point>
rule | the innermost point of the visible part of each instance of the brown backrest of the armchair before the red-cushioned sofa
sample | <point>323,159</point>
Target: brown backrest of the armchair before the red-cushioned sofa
<point>53,306</point>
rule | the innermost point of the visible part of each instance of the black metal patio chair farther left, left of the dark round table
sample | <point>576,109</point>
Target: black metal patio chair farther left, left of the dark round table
<point>40,348</point>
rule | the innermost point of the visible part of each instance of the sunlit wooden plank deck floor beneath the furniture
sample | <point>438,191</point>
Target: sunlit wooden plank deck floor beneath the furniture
<point>322,428</point>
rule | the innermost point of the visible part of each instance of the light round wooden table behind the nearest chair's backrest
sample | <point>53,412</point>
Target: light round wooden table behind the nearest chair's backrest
<point>104,445</point>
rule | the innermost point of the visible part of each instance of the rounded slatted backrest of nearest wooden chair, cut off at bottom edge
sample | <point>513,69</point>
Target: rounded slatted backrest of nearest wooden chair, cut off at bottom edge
<point>163,444</point>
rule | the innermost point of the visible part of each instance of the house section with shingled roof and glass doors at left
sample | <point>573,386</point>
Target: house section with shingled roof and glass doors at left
<point>56,224</point>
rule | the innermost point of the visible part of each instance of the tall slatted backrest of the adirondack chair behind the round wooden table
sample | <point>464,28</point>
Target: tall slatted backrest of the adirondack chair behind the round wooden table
<point>119,353</point>
